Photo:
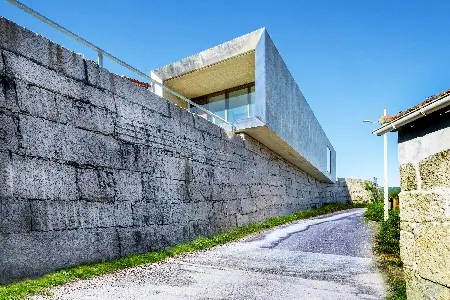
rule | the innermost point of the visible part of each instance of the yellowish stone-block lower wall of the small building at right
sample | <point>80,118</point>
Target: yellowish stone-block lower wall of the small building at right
<point>425,226</point>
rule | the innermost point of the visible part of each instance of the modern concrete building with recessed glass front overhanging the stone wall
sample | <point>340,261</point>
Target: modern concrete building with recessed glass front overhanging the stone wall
<point>246,82</point>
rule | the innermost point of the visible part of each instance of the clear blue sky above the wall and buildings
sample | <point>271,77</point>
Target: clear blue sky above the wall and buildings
<point>350,58</point>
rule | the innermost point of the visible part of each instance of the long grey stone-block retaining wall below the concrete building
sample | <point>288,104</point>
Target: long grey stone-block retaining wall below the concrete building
<point>94,167</point>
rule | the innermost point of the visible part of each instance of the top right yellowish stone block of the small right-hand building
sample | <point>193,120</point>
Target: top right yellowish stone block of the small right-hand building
<point>435,171</point>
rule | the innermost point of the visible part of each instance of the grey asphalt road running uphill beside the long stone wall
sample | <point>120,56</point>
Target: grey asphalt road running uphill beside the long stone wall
<point>321,258</point>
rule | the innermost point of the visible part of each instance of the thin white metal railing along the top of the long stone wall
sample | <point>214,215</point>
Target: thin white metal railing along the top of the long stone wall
<point>101,53</point>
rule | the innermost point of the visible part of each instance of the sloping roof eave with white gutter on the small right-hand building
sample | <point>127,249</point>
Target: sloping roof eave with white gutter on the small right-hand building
<point>412,116</point>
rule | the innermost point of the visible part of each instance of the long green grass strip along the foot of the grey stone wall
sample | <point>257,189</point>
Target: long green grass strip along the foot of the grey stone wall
<point>25,288</point>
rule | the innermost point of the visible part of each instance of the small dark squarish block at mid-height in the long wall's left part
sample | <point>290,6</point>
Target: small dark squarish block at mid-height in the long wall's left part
<point>96,185</point>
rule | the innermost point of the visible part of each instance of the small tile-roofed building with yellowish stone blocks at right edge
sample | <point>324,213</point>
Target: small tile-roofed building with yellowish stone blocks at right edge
<point>424,156</point>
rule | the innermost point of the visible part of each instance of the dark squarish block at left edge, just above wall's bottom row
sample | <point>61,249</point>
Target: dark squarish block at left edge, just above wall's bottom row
<point>16,216</point>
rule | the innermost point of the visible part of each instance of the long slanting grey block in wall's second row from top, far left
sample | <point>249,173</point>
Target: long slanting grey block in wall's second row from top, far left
<point>22,68</point>
